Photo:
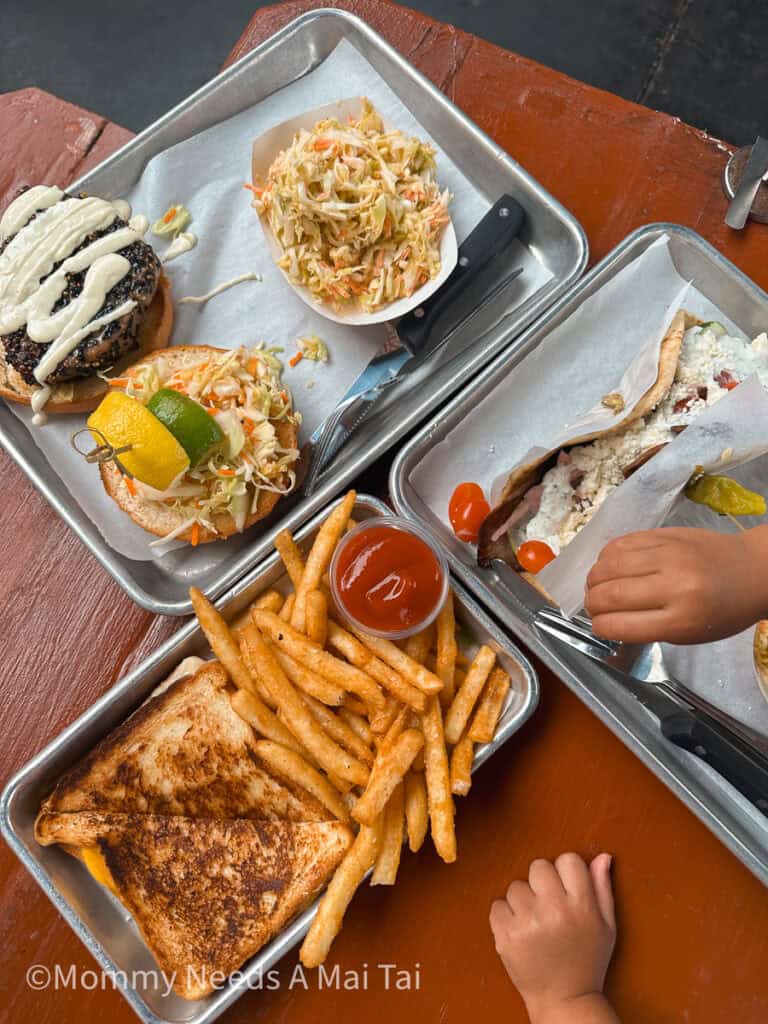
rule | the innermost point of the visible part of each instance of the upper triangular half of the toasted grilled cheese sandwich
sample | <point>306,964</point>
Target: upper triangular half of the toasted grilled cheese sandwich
<point>184,752</point>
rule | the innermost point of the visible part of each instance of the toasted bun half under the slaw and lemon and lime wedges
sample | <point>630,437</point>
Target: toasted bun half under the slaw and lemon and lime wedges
<point>160,520</point>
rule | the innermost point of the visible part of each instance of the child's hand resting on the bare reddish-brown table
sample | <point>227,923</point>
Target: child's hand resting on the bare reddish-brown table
<point>556,935</point>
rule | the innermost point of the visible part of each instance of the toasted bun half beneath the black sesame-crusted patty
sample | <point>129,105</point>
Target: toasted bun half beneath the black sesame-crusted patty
<point>84,395</point>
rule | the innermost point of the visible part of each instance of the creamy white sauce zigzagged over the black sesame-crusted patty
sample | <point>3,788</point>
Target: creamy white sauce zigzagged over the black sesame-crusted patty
<point>60,228</point>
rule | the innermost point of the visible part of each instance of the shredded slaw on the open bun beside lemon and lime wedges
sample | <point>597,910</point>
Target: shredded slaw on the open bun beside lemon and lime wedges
<point>242,390</point>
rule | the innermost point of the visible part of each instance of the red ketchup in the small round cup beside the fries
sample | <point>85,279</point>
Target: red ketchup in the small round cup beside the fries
<point>388,579</point>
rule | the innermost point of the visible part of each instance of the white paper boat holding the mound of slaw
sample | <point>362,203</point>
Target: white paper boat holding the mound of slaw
<point>267,148</point>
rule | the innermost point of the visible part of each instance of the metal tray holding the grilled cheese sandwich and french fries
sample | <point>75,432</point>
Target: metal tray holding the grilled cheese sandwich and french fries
<point>103,924</point>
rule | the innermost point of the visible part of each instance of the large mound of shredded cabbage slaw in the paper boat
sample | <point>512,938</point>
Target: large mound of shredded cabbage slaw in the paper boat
<point>357,210</point>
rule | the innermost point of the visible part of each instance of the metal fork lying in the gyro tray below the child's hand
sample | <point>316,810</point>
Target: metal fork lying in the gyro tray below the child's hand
<point>639,663</point>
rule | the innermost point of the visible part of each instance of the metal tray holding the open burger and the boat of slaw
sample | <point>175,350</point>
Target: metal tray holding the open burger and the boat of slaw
<point>551,234</point>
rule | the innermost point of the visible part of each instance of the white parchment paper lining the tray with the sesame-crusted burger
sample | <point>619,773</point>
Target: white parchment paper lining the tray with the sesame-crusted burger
<point>207,173</point>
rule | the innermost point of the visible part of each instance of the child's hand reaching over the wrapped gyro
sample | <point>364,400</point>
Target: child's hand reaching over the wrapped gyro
<point>679,585</point>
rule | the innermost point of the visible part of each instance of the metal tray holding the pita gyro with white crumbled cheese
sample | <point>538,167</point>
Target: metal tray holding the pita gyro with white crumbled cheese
<point>733,820</point>
